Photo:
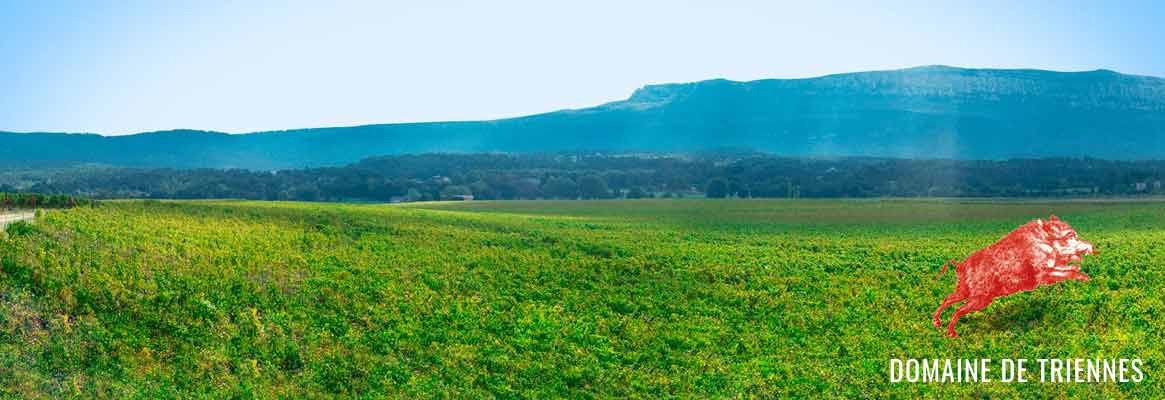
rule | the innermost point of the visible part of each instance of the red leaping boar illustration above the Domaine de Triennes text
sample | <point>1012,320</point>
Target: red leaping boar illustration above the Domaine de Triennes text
<point>1041,252</point>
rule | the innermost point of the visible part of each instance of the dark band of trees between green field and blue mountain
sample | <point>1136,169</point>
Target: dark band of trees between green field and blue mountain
<point>569,177</point>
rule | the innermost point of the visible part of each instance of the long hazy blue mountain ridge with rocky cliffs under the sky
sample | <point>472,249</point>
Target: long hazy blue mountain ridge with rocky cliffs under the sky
<point>920,113</point>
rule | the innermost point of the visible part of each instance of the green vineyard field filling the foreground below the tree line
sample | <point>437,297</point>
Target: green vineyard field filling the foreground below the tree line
<point>646,299</point>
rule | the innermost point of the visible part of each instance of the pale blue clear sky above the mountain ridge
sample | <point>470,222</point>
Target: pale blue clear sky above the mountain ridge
<point>237,67</point>
